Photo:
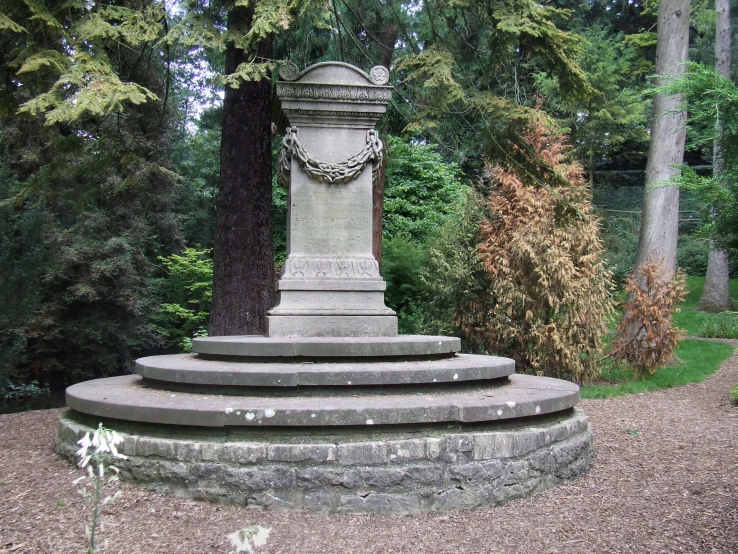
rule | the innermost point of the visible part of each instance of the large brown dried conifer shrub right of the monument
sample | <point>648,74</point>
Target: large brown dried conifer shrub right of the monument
<point>550,291</point>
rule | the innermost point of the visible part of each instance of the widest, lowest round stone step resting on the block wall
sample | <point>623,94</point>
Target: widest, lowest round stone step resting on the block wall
<point>128,399</point>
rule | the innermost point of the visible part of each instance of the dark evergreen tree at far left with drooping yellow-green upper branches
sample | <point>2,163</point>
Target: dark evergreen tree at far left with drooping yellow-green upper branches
<point>97,188</point>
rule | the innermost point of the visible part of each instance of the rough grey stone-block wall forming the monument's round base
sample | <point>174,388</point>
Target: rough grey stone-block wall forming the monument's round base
<point>396,471</point>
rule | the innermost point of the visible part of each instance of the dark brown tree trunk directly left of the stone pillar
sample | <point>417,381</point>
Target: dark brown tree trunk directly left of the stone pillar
<point>243,277</point>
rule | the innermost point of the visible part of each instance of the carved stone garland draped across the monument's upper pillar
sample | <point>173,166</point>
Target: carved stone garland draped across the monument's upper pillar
<point>325,172</point>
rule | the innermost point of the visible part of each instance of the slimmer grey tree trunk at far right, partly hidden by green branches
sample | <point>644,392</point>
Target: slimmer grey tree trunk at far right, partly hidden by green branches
<point>716,295</point>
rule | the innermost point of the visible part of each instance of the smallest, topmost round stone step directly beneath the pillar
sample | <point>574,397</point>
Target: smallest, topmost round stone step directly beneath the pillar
<point>257,346</point>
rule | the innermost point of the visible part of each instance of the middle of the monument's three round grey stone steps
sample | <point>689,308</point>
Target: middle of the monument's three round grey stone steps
<point>191,369</point>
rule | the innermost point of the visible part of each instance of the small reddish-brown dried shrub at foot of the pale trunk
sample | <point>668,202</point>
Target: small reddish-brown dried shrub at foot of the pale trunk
<point>646,338</point>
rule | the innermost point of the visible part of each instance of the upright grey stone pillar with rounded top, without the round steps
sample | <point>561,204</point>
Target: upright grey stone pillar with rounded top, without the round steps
<point>329,155</point>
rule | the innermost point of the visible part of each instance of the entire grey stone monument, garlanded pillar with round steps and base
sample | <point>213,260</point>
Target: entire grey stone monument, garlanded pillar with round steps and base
<point>332,410</point>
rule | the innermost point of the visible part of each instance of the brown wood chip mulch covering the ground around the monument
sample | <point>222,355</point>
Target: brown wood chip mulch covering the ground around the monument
<point>665,479</point>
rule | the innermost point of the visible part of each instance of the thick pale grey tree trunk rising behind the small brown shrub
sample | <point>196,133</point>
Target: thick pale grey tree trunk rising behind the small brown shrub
<point>660,220</point>
